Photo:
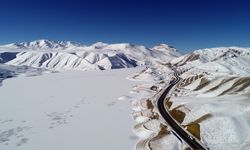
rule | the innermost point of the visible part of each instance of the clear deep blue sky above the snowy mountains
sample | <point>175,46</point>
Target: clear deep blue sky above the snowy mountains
<point>185,24</point>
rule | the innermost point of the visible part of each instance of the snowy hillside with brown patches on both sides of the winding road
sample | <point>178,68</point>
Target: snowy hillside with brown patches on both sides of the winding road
<point>211,100</point>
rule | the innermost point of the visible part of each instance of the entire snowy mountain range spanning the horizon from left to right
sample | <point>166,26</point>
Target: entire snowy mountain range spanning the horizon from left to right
<point>67,55</point>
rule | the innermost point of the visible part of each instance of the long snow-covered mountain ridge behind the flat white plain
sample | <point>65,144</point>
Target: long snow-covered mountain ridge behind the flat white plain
<point>61,55</point>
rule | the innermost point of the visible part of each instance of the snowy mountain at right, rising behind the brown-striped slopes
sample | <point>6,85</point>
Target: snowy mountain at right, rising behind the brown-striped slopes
<point>224,60</point>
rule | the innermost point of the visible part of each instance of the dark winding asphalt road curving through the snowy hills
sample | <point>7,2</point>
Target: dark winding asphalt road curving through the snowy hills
<point>177,130</point>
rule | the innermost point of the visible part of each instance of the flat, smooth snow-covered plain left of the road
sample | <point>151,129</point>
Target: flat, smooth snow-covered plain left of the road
<point>68,110</point>
